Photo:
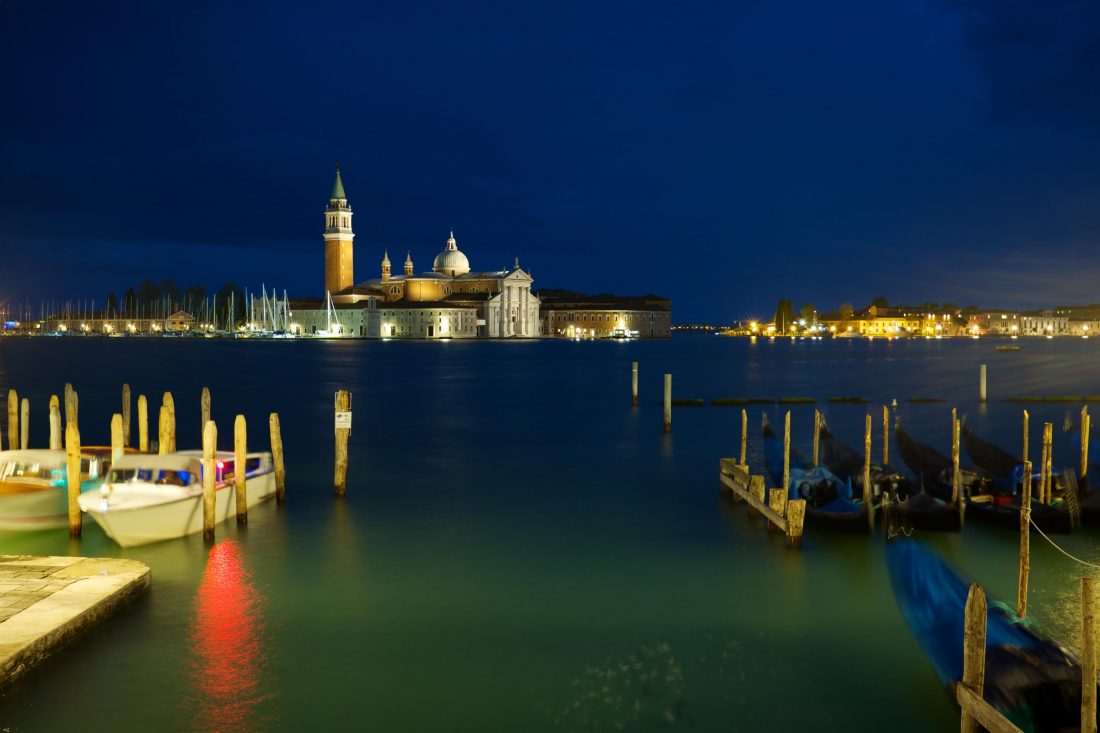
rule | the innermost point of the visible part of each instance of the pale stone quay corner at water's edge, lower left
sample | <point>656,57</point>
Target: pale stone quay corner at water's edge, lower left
<point>47,601</point>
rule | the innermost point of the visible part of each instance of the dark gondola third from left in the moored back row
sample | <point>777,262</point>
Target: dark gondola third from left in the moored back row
<point>987,500</point>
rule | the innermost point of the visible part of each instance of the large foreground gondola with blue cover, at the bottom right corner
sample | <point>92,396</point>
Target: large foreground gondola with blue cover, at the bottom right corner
<point>1031,681</point>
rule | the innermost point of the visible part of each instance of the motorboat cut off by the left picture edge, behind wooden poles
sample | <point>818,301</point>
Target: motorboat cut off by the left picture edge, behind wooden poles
<point>35,486</point>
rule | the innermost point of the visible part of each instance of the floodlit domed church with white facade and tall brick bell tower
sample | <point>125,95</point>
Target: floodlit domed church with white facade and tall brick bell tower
<point>452,301</point>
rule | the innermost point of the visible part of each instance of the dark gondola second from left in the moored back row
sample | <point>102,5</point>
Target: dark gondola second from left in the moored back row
<point>919,510</point>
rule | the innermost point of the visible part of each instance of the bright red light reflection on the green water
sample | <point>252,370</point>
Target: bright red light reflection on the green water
<point>227,646</point>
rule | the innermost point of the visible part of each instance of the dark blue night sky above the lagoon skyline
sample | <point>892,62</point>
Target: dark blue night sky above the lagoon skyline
<point>723,155</point>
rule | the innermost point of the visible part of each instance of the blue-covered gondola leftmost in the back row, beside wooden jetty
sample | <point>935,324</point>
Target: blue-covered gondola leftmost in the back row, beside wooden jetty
<point>830,502</point>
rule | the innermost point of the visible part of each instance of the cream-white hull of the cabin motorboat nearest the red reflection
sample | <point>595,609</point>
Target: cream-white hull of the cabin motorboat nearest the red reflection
<point>155,523</point>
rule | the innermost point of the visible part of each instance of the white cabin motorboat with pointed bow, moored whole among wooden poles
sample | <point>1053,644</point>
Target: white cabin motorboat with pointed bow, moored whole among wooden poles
<point>148,499</point>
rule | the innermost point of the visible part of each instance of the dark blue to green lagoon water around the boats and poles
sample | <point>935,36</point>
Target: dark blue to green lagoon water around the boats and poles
<point>520,549</point>
